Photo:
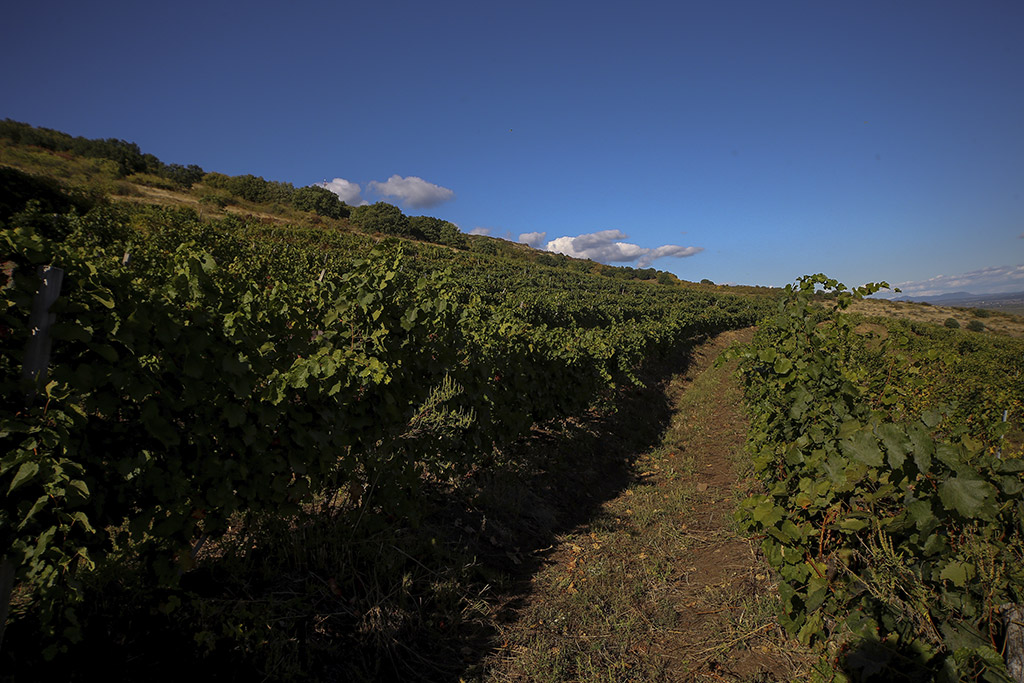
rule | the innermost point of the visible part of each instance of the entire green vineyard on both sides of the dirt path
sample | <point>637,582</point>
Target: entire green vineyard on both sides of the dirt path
<point>282,448</point>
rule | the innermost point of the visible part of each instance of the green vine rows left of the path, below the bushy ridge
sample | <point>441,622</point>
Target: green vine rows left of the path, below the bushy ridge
<point>205,375</point>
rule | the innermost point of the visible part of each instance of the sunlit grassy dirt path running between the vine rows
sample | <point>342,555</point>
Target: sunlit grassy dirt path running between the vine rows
<point>659,585</point>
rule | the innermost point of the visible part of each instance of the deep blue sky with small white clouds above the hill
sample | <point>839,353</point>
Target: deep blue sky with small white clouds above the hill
<point>756,142</point>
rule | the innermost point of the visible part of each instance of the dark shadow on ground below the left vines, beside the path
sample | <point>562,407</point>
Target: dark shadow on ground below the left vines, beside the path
<point>353,594</point>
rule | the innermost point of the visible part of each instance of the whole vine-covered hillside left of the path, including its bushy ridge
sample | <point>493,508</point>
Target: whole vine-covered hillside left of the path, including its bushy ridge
<point>234,377</point>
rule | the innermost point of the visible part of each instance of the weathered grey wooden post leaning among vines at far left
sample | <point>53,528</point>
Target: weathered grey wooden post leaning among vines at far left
<point>37,360</point>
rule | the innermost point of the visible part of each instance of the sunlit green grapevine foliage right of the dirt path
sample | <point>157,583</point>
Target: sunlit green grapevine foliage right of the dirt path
<point>901,540</point>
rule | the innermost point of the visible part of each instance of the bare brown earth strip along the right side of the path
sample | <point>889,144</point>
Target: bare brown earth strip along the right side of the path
<point>723,577</point>
